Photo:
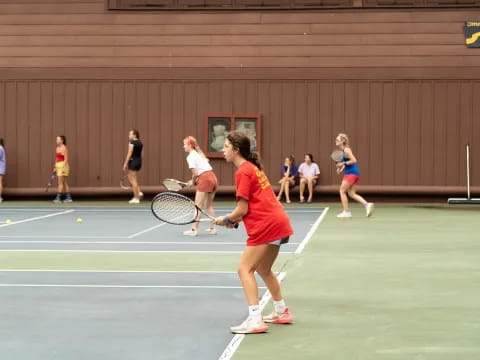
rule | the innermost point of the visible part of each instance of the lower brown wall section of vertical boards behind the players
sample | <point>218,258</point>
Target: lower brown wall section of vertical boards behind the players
<point>404,133</point>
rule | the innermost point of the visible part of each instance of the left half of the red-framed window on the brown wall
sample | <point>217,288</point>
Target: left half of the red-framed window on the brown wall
<point>217,127</point>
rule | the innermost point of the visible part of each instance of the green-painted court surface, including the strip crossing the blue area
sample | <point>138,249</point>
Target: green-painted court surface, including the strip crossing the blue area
<point>404,284</point>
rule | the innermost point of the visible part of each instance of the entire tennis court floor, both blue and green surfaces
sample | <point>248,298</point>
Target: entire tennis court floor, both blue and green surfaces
<point>401,285</point>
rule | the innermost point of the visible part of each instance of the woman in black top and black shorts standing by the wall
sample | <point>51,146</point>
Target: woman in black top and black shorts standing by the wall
<point>133,162</point>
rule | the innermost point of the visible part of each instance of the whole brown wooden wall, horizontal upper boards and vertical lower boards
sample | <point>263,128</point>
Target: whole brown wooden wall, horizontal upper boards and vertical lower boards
<point>401,83</point>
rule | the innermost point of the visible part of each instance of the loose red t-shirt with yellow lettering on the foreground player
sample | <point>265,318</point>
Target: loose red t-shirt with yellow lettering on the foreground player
<point>266,220</point>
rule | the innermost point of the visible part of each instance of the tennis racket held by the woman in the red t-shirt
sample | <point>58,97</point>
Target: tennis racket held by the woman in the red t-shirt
<point>176,209</point>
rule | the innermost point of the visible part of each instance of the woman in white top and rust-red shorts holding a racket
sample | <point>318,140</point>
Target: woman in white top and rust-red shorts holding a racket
<point>205,179</point>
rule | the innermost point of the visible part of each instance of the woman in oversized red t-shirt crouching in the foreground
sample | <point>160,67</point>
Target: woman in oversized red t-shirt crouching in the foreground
<point>267,225</point>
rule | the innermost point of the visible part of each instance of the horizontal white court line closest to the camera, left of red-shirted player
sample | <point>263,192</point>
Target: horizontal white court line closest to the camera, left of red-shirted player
<point>126,286</point>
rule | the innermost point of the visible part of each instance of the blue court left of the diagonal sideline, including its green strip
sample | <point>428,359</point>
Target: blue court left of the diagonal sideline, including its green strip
<point>104,308</point>
